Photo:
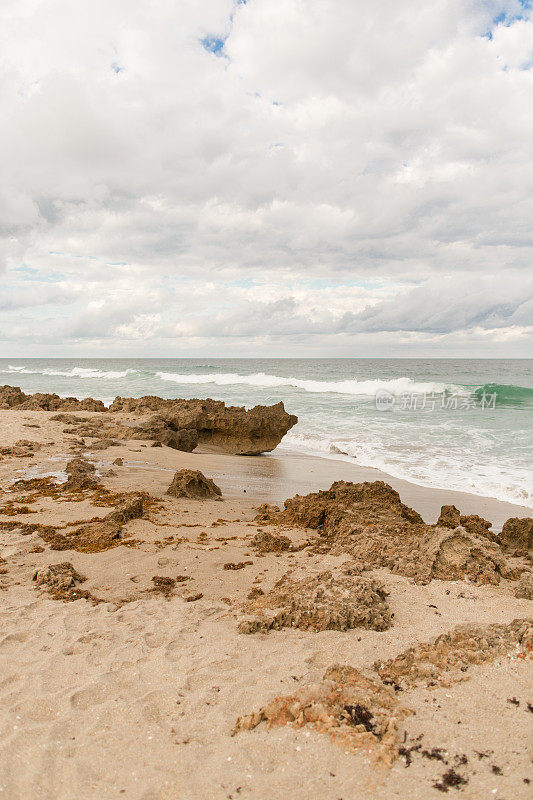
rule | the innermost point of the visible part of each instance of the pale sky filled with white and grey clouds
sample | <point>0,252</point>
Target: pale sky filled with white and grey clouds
<point>270,177</point>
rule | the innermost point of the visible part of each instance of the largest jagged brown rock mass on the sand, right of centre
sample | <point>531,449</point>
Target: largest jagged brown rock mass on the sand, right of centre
<point>369,521</point>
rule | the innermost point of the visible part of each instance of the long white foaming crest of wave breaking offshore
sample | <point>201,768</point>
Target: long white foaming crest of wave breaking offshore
<point>395,386</point>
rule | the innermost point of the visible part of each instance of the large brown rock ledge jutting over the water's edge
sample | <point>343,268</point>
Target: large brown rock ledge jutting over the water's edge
<point>180,424</point>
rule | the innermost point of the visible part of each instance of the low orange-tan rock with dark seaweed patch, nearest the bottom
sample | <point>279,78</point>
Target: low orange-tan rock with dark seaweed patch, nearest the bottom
<point>357,713</point>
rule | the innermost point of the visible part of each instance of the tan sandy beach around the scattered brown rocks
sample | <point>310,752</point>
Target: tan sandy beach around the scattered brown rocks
<point>137,695</point>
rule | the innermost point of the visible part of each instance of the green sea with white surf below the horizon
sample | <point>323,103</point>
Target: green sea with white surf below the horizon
<point>456,424</point>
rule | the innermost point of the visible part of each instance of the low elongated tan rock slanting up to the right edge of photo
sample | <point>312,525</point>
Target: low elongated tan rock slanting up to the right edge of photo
<point>448,656</point>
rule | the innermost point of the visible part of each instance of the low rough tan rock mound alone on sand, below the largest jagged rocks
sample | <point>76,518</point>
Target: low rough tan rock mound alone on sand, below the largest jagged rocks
<point>323,602</point>
